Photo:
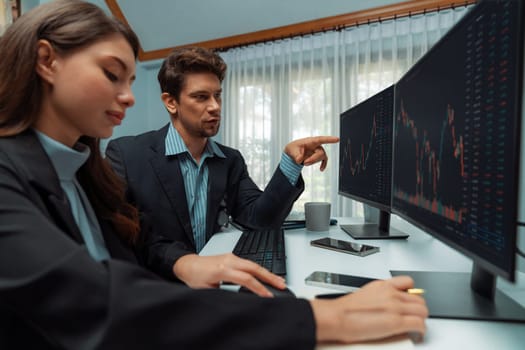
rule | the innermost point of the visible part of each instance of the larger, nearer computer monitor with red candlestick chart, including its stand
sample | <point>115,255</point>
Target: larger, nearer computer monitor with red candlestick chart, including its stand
<point>458,113</point>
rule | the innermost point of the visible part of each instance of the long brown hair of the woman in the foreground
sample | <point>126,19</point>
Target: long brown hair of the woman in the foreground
<point>68,25</point>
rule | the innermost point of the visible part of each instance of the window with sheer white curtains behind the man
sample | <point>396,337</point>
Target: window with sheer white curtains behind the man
<point>288,89</point>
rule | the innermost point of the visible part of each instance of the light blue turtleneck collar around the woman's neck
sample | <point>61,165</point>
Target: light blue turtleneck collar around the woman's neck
<point>65,160</point>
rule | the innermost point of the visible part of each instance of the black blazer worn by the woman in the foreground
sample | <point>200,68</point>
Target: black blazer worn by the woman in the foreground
<point>53,295</point>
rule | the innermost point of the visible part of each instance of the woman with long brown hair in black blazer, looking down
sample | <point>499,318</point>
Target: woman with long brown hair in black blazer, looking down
<point>68,275</point>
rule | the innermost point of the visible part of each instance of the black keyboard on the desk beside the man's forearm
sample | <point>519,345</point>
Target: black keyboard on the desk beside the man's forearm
<point>265,247</point>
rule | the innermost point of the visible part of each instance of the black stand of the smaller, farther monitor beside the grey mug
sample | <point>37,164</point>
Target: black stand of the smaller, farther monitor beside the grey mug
<point>382,230</point>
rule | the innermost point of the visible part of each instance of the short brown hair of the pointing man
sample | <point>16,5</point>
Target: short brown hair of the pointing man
<point>181,61</point>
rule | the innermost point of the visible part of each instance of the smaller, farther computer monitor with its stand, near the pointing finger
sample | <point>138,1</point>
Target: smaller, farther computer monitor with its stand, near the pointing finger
<point>365,162</point>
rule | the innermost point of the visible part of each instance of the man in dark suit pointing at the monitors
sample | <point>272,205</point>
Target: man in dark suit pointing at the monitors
<point>186,185</point>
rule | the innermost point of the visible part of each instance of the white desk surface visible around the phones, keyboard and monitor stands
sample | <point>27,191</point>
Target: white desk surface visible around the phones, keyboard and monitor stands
<point>419,252</point>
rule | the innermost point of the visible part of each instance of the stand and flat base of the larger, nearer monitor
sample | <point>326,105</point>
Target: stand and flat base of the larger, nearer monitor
<point>452,295</point>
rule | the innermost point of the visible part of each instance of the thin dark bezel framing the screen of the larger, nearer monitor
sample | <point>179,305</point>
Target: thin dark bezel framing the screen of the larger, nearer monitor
<point>512,236</point>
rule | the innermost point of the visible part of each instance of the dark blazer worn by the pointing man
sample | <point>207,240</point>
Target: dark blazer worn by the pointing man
<point>155,185</point>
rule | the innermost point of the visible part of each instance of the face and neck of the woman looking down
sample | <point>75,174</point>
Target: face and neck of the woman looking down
<point>89,91</point>
